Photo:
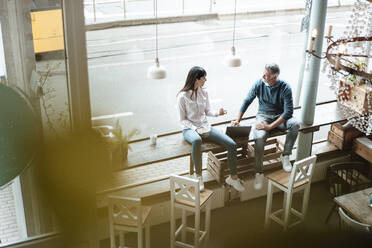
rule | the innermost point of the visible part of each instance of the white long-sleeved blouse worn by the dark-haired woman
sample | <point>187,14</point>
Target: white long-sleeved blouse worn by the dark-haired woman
<point>194,111</point>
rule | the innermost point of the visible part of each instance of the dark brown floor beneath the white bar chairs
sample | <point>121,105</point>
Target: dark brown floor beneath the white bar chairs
<point>241,224</point>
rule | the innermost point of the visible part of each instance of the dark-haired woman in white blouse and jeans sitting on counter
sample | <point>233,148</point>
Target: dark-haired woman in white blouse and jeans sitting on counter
<point>194,107</point>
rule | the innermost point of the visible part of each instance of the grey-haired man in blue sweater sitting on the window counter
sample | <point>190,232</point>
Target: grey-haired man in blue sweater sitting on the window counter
<point>275,111</point>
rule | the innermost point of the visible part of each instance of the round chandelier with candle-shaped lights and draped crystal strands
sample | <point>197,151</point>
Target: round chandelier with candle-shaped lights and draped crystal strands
<point>348,60</point>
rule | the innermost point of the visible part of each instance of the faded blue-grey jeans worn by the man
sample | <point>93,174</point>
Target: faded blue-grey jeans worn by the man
<point>260,136</point>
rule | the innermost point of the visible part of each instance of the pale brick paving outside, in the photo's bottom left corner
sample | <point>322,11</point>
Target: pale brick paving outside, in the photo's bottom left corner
<point>9,231</point>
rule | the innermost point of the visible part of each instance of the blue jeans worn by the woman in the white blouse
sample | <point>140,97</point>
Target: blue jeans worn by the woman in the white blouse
<point>215,136</point>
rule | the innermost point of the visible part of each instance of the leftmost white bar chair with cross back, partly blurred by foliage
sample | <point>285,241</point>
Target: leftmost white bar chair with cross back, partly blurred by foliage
<point>128,215</point>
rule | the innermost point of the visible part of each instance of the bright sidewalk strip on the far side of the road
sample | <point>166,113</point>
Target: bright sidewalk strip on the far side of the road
<point>135,12</point>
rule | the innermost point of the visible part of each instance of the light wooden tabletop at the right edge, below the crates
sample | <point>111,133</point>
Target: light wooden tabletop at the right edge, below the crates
<point>356,204</point>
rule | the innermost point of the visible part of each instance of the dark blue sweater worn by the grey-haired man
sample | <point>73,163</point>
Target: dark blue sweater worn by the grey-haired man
<point>276,100</point>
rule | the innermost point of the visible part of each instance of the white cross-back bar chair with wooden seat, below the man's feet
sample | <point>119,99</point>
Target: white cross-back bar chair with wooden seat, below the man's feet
<point>298,179</point>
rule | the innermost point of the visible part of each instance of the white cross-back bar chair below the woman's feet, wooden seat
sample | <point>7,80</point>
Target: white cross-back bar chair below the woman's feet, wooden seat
<point>185,195</point>
